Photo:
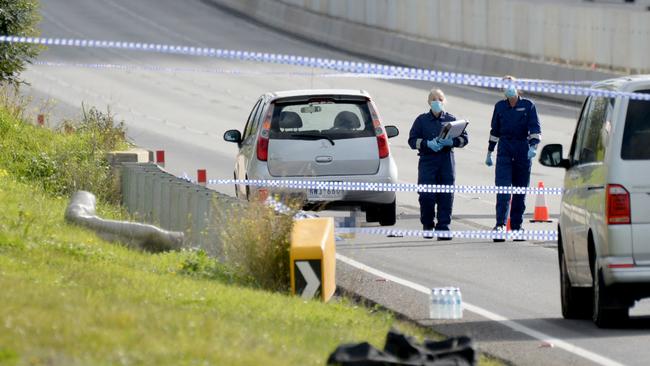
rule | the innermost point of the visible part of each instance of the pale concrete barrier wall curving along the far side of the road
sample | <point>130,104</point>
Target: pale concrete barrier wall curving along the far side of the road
<point>404,34</point>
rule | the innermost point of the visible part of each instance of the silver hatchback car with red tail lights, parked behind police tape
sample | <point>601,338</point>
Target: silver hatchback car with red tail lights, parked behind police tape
<point>318,135</point>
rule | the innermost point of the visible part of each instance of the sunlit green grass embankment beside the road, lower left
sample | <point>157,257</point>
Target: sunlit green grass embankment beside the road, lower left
<point>67,297</point>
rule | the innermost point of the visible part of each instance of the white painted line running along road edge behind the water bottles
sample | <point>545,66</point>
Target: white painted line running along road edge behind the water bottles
<point>591,356</point>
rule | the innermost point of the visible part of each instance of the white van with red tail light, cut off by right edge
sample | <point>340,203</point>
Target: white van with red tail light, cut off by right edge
<point>604,226</point>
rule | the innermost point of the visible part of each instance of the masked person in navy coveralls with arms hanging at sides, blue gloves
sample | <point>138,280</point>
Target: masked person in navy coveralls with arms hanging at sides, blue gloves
<point>517,131</point>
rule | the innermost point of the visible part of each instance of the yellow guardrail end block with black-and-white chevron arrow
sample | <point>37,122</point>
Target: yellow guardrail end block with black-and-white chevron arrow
<point>313,258</point>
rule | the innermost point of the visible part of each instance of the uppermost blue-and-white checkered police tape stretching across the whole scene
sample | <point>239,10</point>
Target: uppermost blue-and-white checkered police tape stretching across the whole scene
<point>338,65</point>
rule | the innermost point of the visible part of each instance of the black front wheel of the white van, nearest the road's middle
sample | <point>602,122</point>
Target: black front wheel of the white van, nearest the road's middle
<point>576,301</point>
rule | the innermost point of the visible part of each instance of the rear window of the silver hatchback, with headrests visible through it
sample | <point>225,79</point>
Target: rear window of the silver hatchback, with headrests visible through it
<point>327,118</point>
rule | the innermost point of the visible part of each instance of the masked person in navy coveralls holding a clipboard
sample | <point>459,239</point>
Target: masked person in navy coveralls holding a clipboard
<point>436,165</point>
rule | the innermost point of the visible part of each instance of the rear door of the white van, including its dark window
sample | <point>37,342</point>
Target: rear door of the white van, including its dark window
<point>635,154</point>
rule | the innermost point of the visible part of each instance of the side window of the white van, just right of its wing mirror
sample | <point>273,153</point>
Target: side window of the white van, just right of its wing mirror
<point>592,148</point>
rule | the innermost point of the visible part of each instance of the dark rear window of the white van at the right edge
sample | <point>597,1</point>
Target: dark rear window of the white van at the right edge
<point>636,137</point>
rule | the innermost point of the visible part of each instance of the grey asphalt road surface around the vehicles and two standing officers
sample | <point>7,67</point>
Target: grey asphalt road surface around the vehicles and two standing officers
<point>185,112</point>
